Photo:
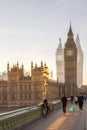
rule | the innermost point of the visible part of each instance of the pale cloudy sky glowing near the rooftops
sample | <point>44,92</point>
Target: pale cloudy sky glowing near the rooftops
<point>30,31</point>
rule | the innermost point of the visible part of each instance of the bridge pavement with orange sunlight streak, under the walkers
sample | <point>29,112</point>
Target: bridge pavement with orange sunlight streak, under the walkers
<point>57,120</point>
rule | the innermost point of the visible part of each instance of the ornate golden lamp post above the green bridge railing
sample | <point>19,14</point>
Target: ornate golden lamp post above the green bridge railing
<point>45,76</point>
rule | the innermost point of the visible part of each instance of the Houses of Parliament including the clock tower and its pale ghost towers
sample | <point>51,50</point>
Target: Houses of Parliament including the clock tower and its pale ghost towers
<point>22,91</point>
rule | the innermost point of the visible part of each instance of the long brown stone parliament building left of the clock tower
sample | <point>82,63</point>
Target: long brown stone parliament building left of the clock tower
<point>22,91</point>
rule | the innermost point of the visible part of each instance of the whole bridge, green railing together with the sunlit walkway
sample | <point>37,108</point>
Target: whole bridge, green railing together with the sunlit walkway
<point>30,118</point>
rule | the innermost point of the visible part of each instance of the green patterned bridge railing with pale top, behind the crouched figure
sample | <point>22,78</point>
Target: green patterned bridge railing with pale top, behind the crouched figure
<point>17,118</point>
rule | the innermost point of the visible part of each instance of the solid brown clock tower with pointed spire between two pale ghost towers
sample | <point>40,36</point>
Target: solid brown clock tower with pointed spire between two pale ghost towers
<point>70,60</point>
